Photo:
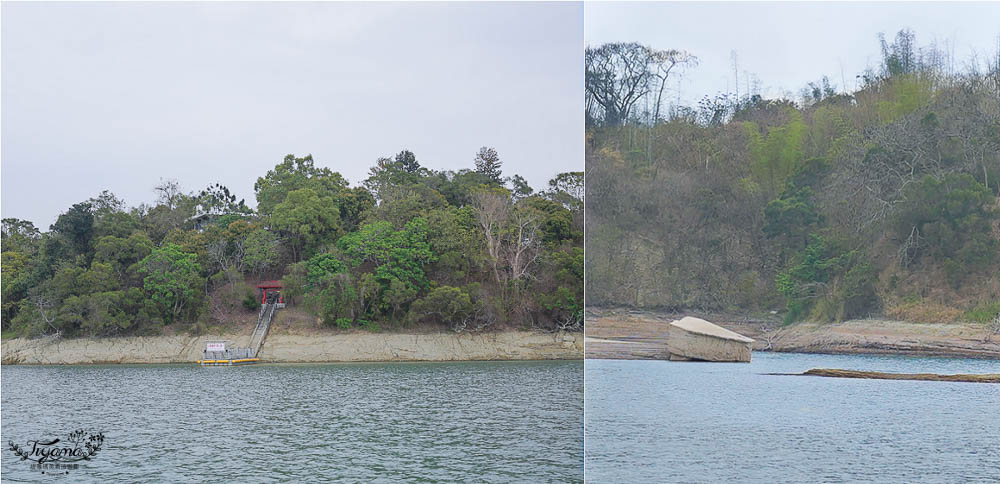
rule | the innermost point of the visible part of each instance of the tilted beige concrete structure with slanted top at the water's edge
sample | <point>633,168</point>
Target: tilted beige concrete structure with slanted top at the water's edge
<point>696,339</point>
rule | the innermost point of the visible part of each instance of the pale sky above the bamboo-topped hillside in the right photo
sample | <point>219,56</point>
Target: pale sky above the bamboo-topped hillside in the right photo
<point>787,45</point>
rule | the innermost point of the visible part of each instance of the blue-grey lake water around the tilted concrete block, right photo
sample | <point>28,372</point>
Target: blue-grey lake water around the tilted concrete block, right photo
<point>659,421</point>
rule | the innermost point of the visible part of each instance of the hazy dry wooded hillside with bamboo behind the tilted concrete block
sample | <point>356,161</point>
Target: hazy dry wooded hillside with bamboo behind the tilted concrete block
<point>881,202</point>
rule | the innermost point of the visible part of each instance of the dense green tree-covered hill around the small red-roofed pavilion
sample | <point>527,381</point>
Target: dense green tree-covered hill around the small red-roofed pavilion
<point>465,251</point>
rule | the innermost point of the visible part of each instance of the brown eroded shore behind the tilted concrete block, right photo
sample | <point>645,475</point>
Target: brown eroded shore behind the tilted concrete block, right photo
<point>641,335</point>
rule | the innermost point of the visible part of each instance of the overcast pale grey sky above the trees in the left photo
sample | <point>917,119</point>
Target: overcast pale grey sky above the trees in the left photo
<point>118,95</point>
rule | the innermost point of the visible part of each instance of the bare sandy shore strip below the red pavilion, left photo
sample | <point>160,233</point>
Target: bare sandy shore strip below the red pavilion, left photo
<point>299,348</point>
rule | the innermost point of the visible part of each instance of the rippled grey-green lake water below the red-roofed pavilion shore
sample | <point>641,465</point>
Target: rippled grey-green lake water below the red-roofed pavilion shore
<point>392,422</point>
